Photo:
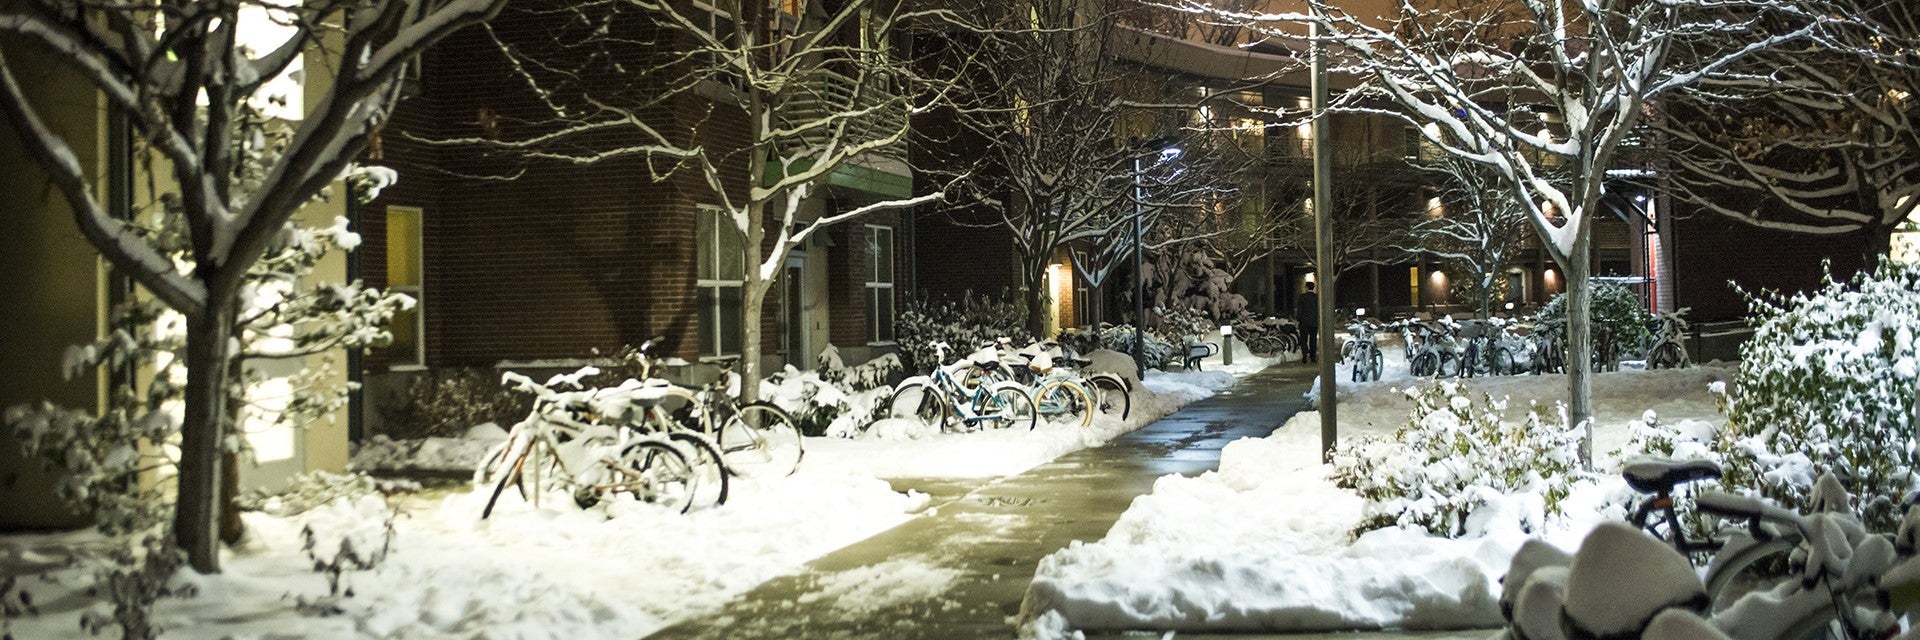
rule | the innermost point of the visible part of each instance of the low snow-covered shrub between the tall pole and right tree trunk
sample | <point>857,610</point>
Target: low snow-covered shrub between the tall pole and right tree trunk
<point>1456,456</point>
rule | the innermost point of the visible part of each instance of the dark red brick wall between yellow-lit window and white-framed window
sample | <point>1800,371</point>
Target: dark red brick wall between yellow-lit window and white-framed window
<point>552,260</point>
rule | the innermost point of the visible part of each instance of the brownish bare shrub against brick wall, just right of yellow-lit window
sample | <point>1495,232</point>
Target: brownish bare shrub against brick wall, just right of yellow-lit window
<point>446,403</point>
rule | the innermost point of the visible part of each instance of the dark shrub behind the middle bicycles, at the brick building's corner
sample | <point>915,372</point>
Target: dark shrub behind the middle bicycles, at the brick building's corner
<point>965,326</point>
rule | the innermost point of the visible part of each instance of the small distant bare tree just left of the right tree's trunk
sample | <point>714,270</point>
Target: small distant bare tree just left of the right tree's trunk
<point>1479,228</point>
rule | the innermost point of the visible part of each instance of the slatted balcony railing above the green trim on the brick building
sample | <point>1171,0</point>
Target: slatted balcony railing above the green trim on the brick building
<point>830,93</point>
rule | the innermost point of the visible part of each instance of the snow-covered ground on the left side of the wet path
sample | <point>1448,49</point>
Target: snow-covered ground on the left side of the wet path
<point>558,572</point>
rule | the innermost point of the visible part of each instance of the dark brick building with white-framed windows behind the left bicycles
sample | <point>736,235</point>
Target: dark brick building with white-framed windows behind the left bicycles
<point>539,264</point>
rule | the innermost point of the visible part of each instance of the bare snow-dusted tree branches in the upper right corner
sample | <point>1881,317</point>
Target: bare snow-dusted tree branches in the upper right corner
<point>1815,139</point>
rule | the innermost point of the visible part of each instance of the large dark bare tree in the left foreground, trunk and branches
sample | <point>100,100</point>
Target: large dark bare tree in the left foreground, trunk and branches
<point>181,72</point>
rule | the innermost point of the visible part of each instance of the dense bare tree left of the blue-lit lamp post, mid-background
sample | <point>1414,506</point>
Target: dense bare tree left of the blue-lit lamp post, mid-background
<point>1065,155</point>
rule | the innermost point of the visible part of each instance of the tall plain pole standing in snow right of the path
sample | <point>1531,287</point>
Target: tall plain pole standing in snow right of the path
<point>1324,237</point>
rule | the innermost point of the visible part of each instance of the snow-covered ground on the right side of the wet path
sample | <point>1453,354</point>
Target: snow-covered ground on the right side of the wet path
<point>1266,543</point>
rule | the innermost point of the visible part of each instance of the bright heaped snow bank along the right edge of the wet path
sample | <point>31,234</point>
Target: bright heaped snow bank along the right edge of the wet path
<point>1264,545</point>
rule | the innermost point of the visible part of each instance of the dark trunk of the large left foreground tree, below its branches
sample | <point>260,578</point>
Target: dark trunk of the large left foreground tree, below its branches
<point>203,433</point>
